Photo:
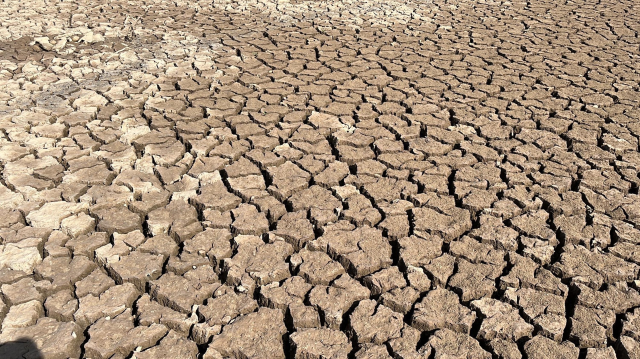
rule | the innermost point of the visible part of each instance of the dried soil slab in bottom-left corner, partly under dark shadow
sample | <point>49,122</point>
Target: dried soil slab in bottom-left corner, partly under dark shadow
<point>53,339</point>
